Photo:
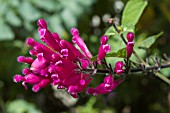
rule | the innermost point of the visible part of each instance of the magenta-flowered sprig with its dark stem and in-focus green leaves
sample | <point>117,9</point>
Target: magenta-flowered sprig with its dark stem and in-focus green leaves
<point>71,66</point>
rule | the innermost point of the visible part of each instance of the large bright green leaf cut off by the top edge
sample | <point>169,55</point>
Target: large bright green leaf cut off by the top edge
<point>132,12</point>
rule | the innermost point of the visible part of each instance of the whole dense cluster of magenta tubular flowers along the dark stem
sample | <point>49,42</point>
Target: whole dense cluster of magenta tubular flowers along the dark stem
<point>58,62</point>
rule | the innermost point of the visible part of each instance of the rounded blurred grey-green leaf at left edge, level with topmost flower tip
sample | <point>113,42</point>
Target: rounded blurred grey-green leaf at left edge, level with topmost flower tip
<point>5,32</point>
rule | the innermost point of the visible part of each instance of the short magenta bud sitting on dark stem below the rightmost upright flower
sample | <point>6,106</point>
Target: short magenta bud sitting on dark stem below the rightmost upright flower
<point>119,68</point>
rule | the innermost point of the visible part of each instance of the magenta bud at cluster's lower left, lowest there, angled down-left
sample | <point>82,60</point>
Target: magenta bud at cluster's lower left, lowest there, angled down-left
<point>43,83</point>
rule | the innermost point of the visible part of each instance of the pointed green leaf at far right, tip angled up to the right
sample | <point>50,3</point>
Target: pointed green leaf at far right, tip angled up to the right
<point>147,43</point>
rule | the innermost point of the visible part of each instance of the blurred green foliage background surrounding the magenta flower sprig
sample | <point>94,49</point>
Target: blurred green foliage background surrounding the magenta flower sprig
<point>138,94</point>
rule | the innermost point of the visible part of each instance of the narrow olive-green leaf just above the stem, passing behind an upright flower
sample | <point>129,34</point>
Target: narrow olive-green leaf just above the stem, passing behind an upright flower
<point>119,54</point>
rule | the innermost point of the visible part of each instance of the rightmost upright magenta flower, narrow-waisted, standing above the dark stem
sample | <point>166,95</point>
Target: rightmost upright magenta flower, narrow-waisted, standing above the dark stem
<point>129,47</point>
